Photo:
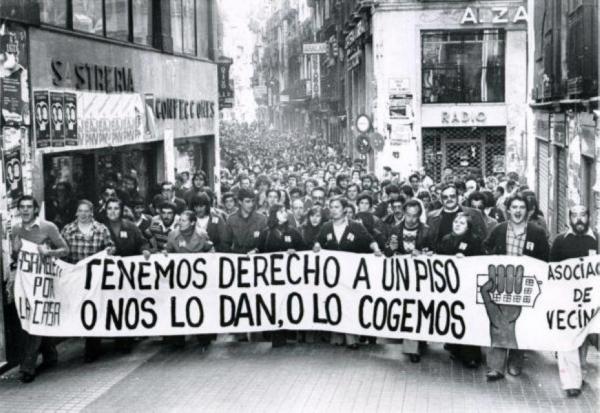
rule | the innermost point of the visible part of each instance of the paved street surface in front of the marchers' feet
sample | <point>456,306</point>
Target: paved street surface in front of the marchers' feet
<point>253,377</point>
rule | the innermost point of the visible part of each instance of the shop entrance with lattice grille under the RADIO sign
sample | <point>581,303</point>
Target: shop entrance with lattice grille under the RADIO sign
<point>465,150</point>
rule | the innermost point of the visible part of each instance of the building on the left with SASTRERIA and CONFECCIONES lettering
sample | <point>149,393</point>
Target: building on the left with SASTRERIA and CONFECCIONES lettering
<point>95,90</point>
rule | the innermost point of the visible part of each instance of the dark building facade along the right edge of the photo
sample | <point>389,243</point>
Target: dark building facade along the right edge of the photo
<point>565,150</point>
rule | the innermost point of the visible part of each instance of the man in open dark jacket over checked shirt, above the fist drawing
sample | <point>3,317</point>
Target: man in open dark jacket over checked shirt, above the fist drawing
<point>514,237</point>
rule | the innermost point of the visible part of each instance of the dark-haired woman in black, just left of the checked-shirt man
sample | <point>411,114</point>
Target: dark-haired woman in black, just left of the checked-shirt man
<point>462,242</point>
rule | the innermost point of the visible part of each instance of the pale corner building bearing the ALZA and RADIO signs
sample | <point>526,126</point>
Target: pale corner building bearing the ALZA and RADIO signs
<point>431,76</point>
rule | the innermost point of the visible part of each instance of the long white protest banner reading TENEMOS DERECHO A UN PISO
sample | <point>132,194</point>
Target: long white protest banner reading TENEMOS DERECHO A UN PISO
<point>504,301</point>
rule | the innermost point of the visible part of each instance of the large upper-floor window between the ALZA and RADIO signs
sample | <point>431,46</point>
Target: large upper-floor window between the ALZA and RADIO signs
<point>463,67</point>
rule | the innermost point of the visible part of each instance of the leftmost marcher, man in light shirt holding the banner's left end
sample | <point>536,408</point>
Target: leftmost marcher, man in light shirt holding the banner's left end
<point>50,244</point>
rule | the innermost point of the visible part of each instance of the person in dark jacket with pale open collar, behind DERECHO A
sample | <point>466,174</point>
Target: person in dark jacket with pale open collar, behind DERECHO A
<point>340,234</point>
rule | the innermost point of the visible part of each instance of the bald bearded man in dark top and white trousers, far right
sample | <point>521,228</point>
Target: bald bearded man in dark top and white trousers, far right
<point>578,241</point>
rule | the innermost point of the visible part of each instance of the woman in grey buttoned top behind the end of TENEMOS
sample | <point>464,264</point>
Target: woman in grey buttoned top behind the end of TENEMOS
<point>185,239</point>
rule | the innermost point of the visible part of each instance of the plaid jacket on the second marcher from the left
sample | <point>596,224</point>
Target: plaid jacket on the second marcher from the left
<point>82,246</point>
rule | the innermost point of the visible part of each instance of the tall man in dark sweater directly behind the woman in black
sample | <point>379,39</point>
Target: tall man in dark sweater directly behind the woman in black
<point>440,221</point>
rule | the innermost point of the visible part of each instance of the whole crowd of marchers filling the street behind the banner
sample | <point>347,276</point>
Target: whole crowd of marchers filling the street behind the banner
<point>289,192</point>
